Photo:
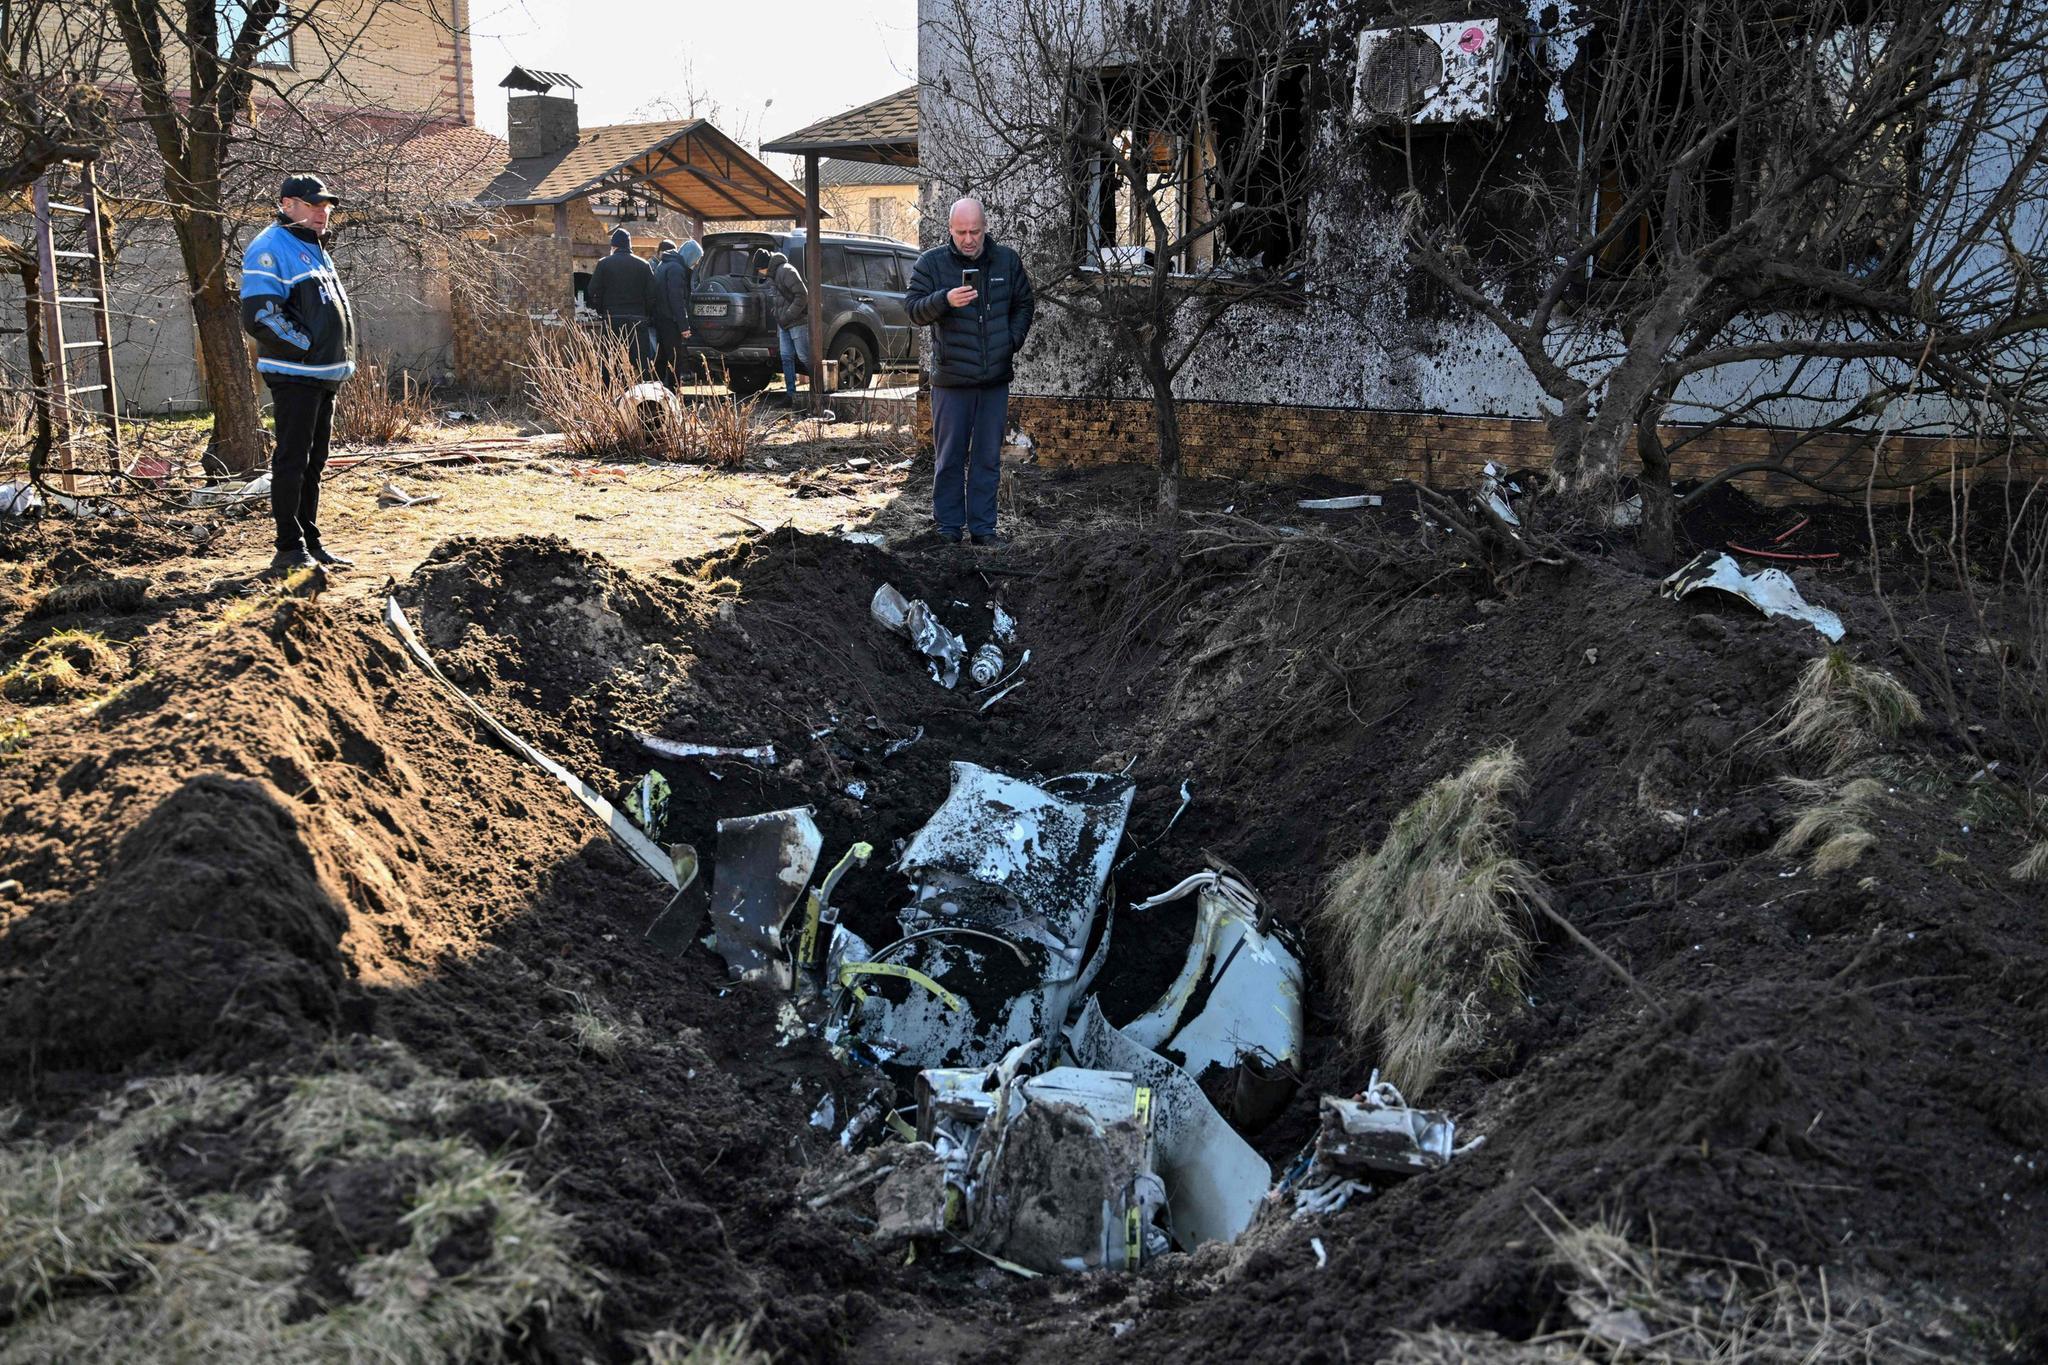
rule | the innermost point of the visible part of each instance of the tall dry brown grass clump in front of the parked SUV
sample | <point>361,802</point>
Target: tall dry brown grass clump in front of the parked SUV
<point>579,382</point>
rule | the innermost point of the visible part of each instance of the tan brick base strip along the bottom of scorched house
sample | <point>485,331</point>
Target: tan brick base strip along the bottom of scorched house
<point>1271,443</point>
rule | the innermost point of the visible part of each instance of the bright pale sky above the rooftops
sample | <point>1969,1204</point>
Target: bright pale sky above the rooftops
<point>767,69</point>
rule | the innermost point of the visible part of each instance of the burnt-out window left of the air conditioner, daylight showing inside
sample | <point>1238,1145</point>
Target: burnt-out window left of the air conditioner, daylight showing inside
<point>1222,173</point>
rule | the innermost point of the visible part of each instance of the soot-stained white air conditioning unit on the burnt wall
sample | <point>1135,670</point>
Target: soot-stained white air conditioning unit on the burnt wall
<point>1431,73</point>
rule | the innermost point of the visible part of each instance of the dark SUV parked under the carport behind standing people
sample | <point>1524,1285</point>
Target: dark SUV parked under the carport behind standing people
<point>865,281</point>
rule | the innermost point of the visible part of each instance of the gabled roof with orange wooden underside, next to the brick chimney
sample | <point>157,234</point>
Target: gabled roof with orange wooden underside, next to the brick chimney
<point>687,165</point>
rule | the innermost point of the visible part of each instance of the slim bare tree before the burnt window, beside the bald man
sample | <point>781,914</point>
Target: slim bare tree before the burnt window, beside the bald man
<point>1166,148</point>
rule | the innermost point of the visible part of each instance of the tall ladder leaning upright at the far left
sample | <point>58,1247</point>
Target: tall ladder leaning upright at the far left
<point>87,265</point>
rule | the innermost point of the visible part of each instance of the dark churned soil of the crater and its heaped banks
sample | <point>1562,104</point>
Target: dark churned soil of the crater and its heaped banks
<point>1838,1071</point>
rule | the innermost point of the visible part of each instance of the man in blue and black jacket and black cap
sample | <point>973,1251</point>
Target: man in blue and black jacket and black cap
<point>306,347</point>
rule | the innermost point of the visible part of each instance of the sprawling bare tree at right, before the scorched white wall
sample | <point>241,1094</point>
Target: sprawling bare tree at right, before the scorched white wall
<point>1824,216</point>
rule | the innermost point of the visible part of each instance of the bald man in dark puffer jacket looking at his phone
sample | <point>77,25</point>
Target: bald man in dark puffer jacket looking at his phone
<point>976,298</point>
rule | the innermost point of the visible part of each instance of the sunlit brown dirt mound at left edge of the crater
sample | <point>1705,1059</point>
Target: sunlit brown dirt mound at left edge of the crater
<point>218,867</point>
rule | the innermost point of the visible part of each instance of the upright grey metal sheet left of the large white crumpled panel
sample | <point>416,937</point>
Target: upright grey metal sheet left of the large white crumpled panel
<point>765,865</point>
